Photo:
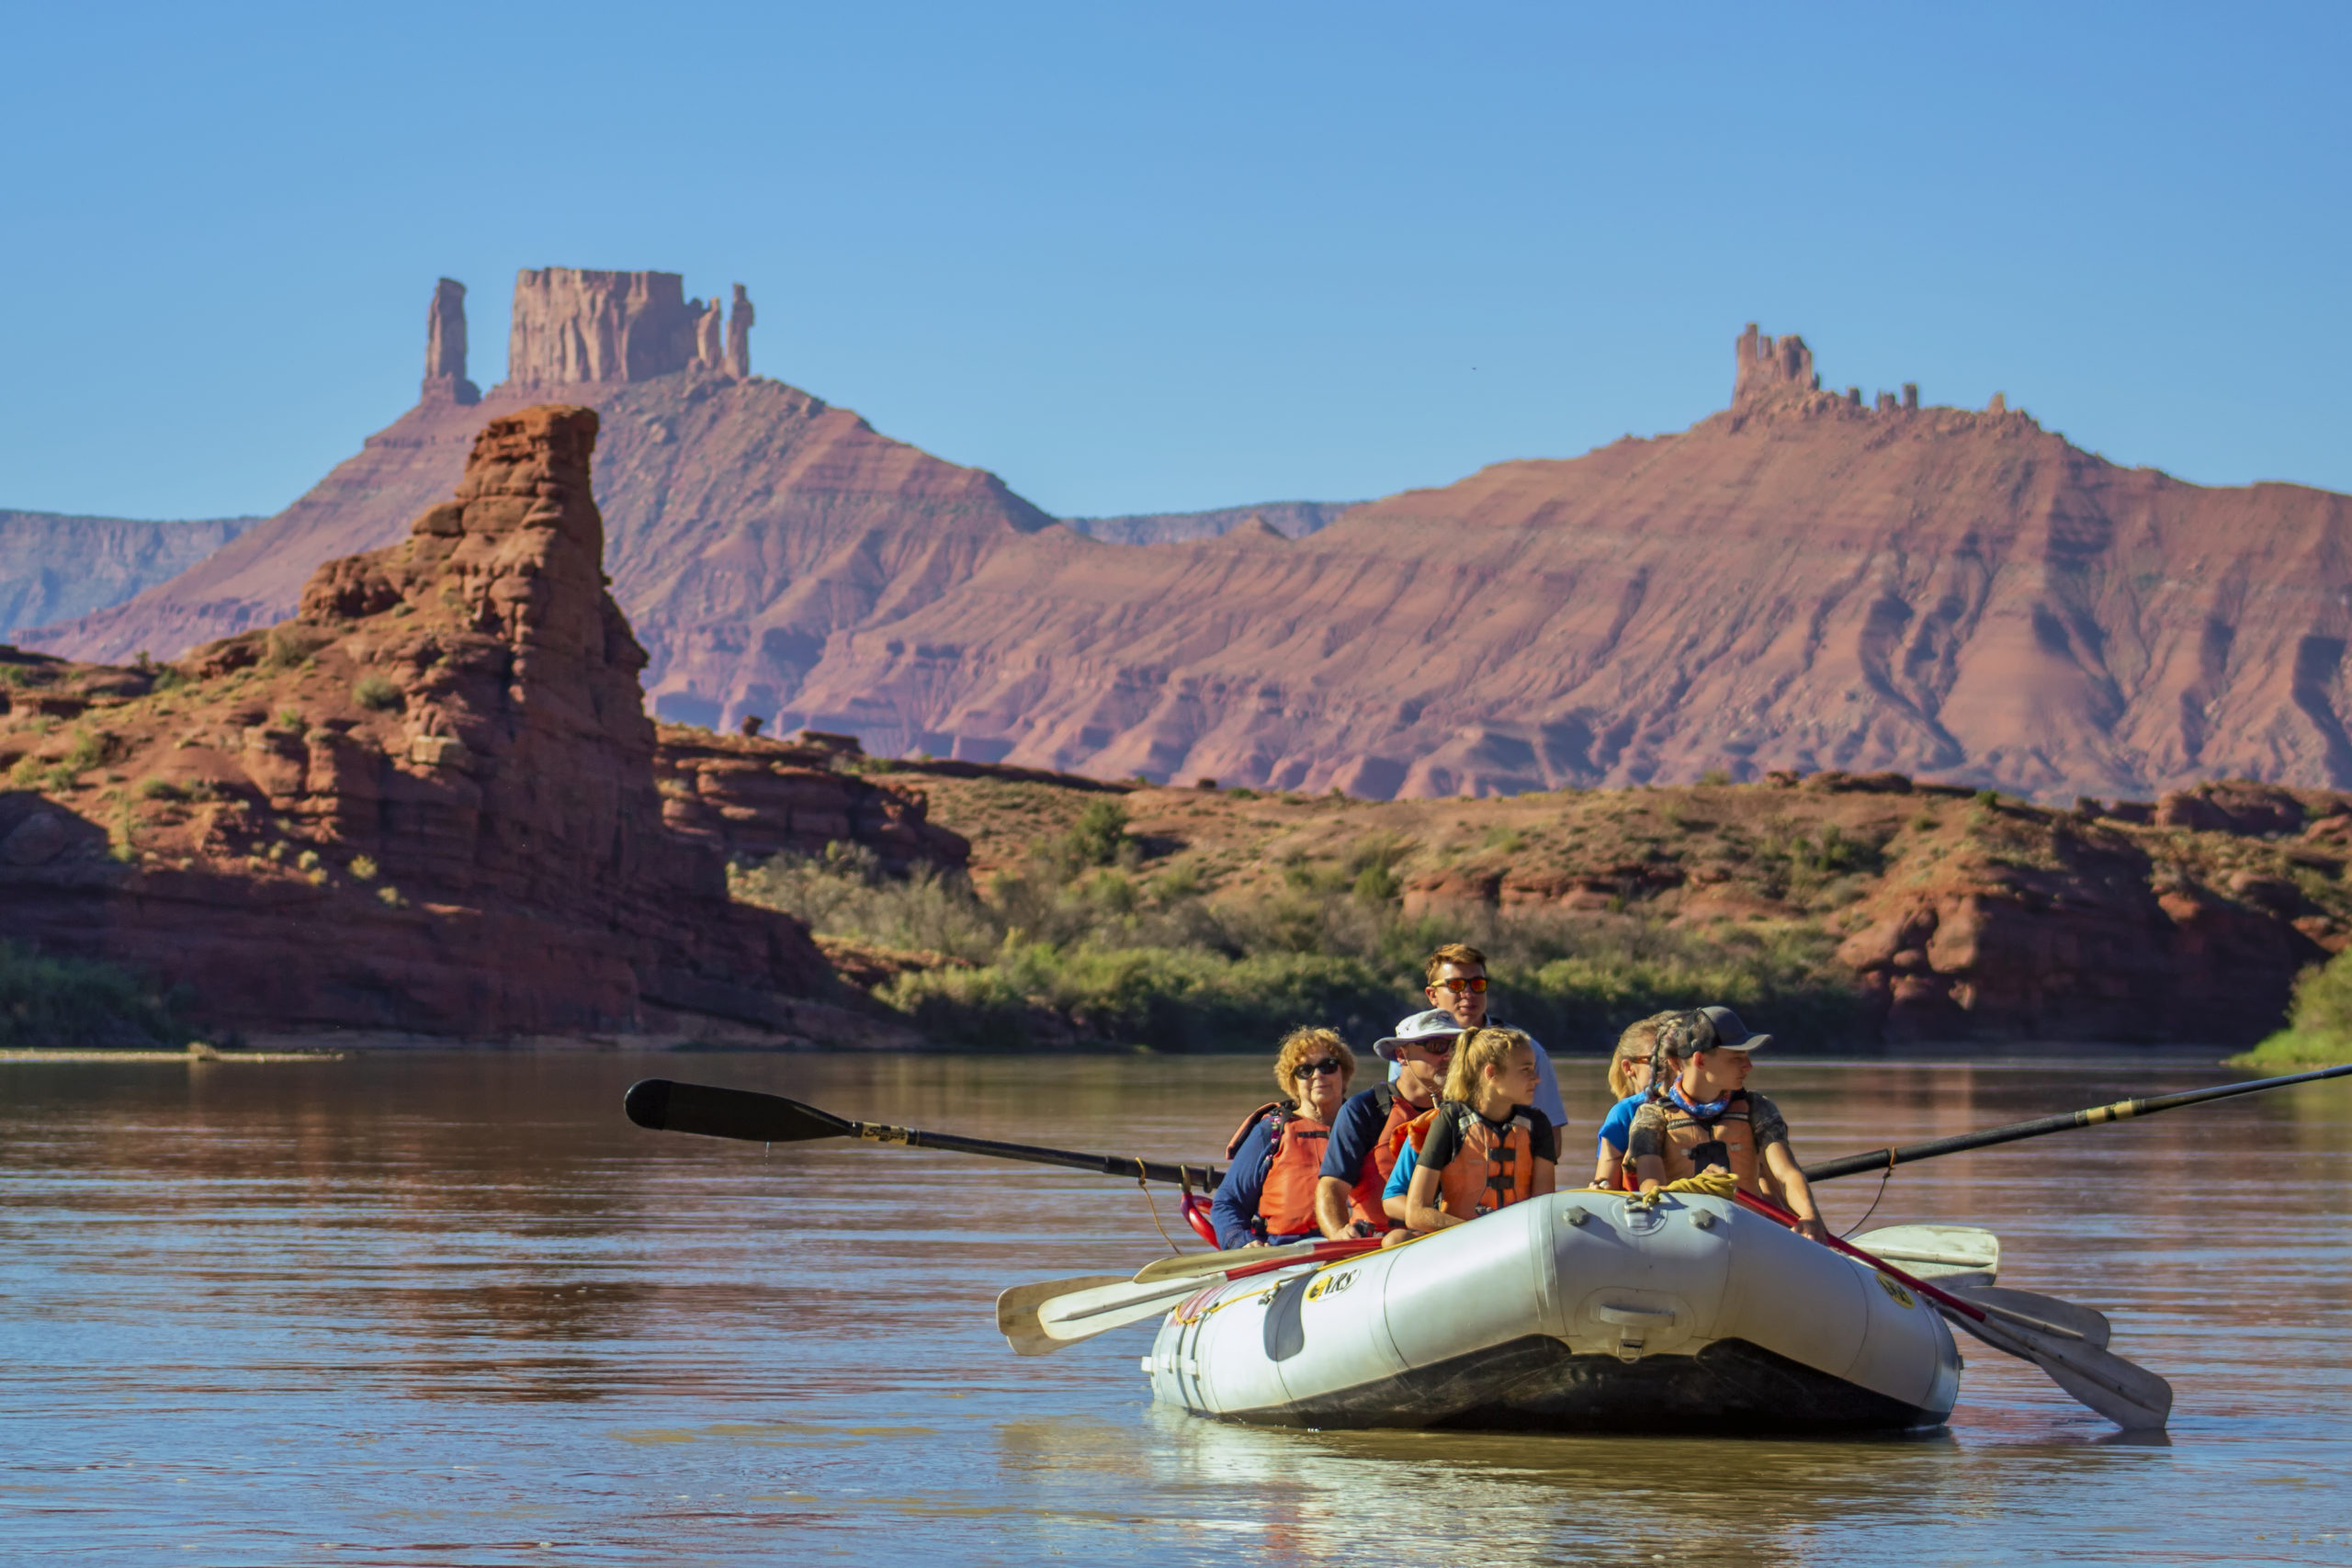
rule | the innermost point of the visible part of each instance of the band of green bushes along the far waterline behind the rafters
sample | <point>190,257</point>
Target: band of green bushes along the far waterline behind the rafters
<point>1083,946</point>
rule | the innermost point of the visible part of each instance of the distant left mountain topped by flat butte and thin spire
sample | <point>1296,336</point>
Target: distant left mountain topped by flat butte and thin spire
<point>749,523</point>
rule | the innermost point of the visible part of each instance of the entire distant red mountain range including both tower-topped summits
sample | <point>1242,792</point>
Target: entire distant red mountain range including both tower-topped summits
<point>1803,582</point>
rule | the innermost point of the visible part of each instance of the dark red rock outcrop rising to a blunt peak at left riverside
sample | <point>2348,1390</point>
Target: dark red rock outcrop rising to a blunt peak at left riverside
<point>427,803</point>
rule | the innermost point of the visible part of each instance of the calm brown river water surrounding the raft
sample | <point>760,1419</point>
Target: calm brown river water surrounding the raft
<point>460,1311</point>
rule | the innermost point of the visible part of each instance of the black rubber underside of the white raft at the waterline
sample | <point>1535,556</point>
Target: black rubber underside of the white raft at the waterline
<point>1539,1386</point>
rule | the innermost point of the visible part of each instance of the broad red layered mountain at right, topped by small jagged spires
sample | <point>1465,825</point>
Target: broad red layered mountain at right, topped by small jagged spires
<point>1803,582</point>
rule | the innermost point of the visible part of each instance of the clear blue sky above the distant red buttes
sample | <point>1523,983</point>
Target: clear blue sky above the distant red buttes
<point>1147,257</point>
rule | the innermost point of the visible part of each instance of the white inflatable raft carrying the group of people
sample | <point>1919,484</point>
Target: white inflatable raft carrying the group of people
<point>1579,1311</point>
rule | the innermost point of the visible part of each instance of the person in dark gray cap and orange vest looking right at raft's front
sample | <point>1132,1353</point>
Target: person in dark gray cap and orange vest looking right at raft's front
<point>1706,1118</point>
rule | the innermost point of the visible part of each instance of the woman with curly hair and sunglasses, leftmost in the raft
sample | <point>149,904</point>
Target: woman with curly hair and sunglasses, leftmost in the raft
<point>1269,1191</point>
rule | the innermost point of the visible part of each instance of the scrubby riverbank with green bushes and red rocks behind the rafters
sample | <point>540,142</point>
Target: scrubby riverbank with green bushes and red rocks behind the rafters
<point>1836,911</point>
